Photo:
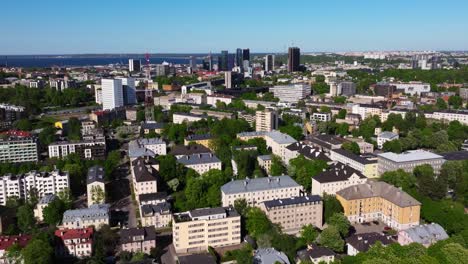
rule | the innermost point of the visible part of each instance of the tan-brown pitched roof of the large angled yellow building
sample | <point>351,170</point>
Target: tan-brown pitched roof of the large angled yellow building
<point>378,189</point>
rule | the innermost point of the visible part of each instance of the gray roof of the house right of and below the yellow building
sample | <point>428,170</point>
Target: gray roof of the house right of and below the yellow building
<point>426,234</point>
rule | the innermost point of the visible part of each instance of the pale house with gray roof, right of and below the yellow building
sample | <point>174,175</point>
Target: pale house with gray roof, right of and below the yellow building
<point>425,235</point>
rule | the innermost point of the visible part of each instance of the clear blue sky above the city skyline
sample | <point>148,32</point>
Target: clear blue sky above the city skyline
<point>185,26</point>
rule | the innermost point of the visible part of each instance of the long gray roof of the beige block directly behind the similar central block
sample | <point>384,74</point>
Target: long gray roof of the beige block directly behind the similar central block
<point>258,184</point>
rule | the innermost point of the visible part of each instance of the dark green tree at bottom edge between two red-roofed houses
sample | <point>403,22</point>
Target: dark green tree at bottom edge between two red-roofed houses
<point>37,252</point>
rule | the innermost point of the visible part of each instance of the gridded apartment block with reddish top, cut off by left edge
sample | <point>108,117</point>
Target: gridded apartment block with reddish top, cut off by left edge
<point>16,149</point>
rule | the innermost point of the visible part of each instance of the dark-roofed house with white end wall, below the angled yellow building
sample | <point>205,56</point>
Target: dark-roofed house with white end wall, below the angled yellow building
<point>362,242</point>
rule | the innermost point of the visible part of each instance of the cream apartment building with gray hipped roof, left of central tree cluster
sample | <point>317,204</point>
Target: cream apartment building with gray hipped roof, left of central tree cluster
<point>201,163</point>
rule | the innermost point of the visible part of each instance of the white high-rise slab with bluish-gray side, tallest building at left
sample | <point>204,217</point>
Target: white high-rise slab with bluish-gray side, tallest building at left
<point>112,93</point>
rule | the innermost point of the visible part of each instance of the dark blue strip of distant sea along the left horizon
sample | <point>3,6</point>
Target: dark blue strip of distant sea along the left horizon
<point>66,61</point>
